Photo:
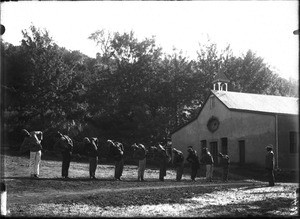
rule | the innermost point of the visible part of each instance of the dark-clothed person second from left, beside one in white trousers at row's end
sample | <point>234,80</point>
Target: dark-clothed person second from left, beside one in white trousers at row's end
<point>64,144</point>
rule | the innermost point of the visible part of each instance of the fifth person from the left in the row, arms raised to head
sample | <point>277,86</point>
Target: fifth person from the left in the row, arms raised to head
<point>140,154</point>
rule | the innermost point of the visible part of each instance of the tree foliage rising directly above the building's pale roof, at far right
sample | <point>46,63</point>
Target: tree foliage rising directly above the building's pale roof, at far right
<point>250,74</point>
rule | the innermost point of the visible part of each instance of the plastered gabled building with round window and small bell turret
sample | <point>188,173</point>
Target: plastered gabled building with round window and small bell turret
<point>241,125</point>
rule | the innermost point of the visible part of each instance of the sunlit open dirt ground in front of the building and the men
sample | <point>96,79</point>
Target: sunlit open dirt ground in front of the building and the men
<point>52,196</point>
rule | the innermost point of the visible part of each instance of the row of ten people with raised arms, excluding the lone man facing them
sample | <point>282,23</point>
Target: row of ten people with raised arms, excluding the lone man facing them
<point>64,144</point>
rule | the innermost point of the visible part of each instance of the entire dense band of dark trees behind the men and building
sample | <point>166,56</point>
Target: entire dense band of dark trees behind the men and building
<point>131,91</point>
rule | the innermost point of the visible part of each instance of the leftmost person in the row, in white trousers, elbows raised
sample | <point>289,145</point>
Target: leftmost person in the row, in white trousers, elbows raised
<point>32,142</point>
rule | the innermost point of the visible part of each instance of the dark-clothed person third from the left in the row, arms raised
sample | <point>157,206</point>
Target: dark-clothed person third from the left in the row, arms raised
<point>91,146</point>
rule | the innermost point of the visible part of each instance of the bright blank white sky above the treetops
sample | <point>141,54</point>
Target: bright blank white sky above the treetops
<point>265,27</point>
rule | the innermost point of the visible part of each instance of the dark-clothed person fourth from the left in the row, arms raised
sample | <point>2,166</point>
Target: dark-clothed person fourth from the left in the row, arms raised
<point>116,151</point>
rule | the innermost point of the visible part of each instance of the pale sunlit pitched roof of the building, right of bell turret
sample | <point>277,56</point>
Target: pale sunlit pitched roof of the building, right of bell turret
<point>258,102</point>
